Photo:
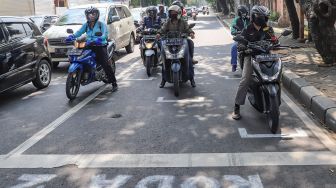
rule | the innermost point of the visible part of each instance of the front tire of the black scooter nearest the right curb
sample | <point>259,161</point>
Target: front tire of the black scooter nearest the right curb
<point>273,114</point>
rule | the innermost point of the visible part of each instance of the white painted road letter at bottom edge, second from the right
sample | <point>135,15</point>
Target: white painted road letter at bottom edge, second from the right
<point>207,182</point>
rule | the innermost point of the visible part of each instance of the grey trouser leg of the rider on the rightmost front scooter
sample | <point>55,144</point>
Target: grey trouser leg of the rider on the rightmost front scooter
<point>244,82</point>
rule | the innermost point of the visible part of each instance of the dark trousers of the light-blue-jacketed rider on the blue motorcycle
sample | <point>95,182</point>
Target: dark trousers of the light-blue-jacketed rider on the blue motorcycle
<point>102,59</point>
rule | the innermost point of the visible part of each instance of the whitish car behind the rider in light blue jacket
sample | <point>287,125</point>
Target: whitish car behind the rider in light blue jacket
<point>119,21</point>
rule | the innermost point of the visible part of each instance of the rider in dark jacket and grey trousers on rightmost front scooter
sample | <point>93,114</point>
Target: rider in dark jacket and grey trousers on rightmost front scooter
<point>257,30</point>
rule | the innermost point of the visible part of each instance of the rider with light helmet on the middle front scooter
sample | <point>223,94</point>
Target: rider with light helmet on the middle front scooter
<point>175,23</point>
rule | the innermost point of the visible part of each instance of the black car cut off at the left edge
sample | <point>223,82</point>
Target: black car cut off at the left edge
<point>24,56</point>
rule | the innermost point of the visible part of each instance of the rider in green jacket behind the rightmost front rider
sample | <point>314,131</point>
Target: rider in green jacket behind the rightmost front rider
<point>237,25</point>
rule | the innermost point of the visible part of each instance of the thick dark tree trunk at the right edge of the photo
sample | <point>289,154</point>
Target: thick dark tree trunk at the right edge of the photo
<point>323,29</point>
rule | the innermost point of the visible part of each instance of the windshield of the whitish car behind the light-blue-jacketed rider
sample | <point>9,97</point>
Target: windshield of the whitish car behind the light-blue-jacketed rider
<point>77,17</point>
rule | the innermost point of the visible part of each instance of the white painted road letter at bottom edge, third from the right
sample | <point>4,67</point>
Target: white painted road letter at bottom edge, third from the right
<point>163,181</point>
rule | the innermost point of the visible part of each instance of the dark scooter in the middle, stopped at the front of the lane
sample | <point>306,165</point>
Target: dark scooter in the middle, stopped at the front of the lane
<point>176,59</point>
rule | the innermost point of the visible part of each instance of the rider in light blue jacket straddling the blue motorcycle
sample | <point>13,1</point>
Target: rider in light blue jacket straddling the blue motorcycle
<point>92,26</point>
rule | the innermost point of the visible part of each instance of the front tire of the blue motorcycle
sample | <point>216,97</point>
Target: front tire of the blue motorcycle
<point>73,84</point>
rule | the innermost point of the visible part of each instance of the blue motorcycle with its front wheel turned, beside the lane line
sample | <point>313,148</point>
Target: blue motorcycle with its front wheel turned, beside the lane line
<point>83,68</point>
